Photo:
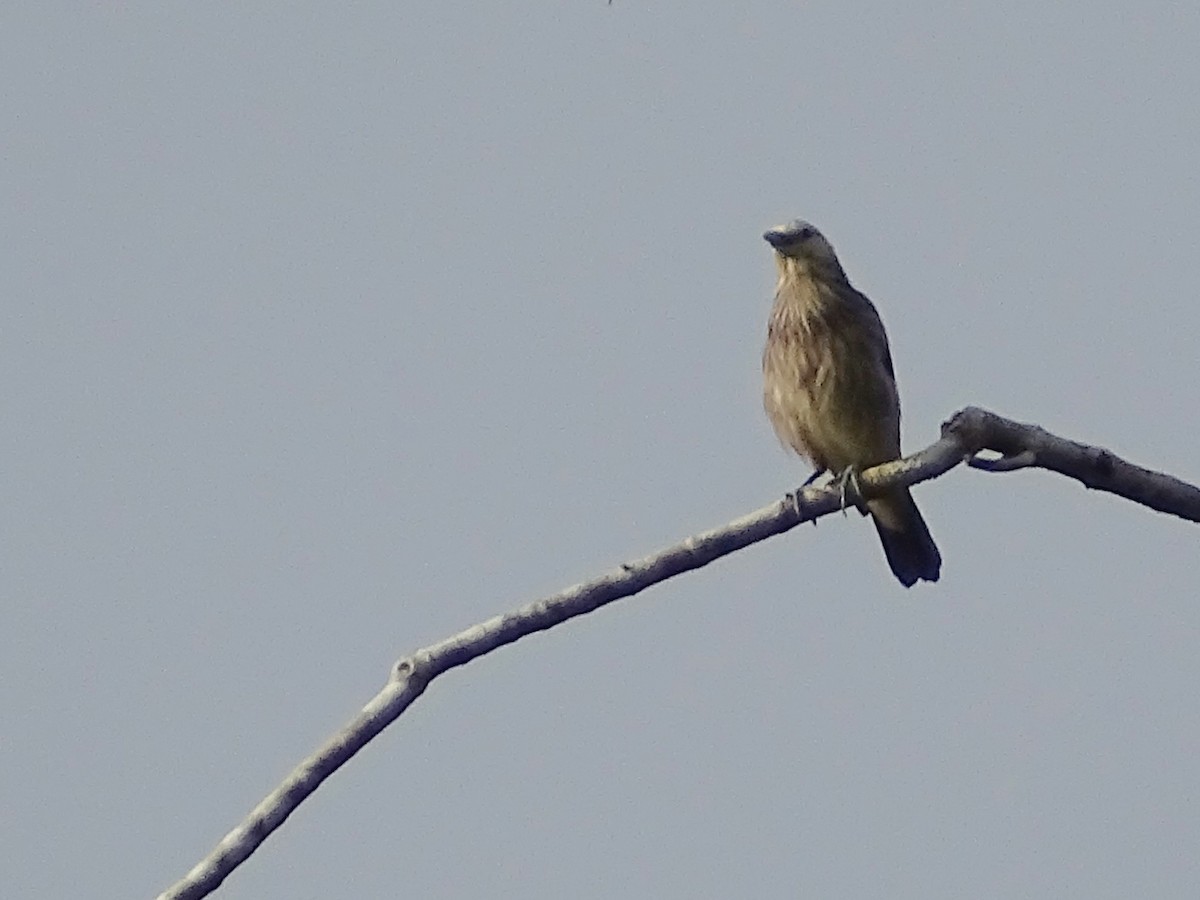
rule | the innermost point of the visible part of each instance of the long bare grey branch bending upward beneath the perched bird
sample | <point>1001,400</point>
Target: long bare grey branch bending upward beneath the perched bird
<point>964,437</point>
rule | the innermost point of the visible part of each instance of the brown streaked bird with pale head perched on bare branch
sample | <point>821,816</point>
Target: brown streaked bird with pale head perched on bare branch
<point>830,391</point>
